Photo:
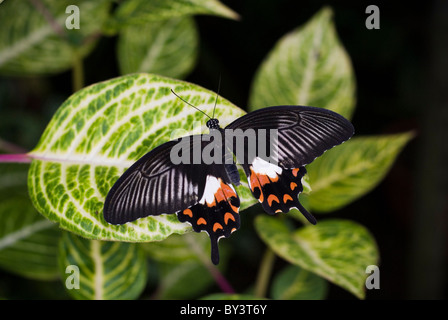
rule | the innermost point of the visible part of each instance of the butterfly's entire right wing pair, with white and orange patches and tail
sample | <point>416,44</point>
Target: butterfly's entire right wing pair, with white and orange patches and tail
<point>301,134</point>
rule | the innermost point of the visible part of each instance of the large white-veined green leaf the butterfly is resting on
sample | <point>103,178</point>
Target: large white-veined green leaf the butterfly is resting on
<point>99,132</point>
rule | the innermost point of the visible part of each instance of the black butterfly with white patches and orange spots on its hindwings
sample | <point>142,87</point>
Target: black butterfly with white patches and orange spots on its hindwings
<point>203,195</point>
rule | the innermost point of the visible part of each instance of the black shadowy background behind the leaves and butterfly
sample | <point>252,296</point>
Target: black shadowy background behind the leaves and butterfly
<point>402,84</point>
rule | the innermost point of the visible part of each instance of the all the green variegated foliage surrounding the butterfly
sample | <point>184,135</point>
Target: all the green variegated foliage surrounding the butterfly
<point>102,129</point>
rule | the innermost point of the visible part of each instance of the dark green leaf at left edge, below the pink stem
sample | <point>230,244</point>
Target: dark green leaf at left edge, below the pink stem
<point>28,242</point>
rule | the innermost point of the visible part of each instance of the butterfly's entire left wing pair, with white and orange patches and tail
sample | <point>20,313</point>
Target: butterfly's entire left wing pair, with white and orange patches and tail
<point>199,194</point>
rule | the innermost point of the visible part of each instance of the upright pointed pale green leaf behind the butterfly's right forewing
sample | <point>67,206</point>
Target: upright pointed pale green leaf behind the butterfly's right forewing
<point>308,66</point>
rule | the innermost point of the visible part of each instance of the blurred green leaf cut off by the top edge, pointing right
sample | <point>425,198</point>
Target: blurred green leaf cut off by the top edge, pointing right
<point>143,11</point>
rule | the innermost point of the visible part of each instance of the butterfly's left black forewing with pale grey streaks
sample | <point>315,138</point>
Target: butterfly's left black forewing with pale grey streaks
<point>155,185</point>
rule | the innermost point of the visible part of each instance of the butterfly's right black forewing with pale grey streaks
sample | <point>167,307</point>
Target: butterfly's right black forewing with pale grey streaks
<point>303,133</point>
